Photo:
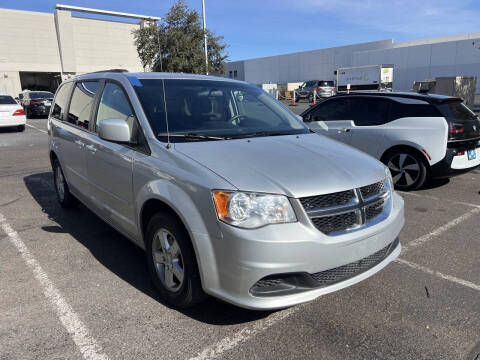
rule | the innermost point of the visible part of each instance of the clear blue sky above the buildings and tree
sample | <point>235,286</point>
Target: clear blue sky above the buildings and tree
<point>255,28</point>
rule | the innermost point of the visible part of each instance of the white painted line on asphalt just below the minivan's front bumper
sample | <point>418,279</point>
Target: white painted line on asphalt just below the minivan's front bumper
<point>228,343</point>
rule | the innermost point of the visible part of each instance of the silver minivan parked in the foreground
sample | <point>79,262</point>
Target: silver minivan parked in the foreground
<point>225,189</point>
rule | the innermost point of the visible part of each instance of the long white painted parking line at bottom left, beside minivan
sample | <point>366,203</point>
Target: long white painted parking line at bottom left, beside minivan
<point>88,346</point>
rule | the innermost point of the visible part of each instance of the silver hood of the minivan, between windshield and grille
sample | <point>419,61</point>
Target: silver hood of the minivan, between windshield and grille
<point>294,165</point>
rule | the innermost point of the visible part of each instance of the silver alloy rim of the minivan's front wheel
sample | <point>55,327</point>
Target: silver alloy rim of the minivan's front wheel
<point>168,260</point>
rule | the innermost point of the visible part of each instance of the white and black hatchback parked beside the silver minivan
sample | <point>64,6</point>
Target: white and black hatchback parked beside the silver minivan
<point>417,136</point>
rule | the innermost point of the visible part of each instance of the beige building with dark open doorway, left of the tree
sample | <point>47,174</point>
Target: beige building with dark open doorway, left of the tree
<point>39,49</point>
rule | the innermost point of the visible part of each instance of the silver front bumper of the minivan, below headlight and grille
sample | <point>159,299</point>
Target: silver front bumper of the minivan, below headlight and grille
<point>243,257</point>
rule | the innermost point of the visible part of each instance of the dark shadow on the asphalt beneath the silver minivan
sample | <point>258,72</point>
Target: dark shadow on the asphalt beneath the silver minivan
<point>119,255</point>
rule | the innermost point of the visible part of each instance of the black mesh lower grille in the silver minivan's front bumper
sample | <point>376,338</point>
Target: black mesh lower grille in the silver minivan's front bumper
<point>341,273</point>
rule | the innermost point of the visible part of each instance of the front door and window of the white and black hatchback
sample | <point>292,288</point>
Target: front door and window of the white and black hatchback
<point>332,118</point>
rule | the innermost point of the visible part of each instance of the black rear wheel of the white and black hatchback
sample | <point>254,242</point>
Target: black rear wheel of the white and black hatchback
<point>408,169</point>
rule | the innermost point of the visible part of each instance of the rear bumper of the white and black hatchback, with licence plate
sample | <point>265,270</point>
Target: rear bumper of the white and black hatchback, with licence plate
<point>453,164</point>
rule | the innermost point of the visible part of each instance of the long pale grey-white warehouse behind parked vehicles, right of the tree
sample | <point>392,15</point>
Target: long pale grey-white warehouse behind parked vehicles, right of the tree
<point>457,55</point>
